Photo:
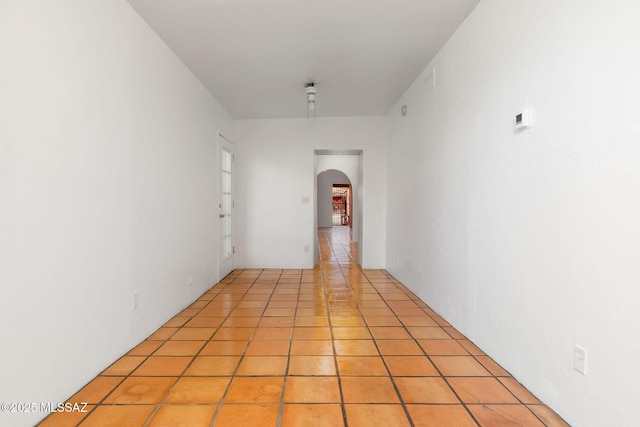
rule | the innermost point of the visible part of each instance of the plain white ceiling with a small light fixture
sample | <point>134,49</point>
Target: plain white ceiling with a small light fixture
<point>255,56</point>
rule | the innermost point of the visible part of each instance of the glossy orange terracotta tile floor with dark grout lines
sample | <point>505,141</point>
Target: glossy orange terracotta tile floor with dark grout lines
<point>332,346</point>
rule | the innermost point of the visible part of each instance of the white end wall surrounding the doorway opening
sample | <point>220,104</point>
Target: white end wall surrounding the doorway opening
<point>275,170</point>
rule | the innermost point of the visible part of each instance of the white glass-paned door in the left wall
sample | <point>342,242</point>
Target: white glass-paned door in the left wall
<point>225,205</point>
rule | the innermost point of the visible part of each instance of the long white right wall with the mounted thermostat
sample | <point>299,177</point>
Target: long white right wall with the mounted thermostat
<point>528,241</point>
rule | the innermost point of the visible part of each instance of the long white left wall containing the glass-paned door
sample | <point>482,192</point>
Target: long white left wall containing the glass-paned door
<point>107,168</point>
